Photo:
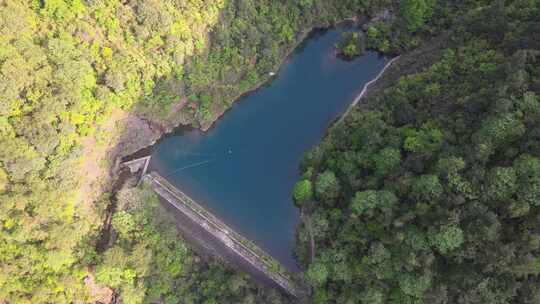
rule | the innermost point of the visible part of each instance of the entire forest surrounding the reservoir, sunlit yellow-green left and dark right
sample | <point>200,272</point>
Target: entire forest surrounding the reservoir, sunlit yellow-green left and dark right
<point>429,194</point>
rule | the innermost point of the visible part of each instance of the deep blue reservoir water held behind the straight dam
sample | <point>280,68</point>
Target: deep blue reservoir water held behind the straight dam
<point>244,168</point>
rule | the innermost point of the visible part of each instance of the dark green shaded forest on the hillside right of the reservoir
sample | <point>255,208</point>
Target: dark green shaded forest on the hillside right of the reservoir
<point>429,192</point>
